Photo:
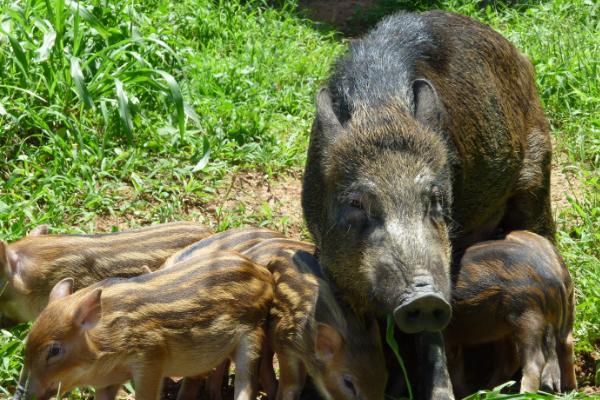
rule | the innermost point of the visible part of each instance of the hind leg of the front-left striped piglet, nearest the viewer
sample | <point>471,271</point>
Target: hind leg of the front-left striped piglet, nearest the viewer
<point>246,358</point>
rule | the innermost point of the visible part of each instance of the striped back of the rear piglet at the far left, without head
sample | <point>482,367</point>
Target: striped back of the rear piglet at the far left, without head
<point>91,258</point>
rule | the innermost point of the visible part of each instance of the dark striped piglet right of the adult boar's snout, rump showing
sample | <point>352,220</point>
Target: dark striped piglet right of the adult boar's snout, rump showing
<point>517,294</point>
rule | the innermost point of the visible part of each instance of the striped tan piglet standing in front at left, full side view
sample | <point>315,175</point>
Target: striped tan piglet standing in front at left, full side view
<point>181,321</point>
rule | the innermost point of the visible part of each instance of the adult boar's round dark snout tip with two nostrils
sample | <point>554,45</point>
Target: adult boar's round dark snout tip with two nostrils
<point>426,312</point>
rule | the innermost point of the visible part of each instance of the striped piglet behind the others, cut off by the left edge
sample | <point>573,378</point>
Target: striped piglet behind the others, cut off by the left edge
<point>31,266</point>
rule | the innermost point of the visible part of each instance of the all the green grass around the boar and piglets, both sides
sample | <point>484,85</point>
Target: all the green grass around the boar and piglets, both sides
<point>137,111</point>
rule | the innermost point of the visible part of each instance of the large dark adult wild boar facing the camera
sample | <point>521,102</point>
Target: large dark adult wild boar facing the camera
<point>429,136</point>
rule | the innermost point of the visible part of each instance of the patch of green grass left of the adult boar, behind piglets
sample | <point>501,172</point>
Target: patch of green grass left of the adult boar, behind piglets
<point>121,108</point>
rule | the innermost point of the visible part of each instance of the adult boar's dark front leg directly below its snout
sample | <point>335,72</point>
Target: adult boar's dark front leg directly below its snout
<point>434,378</point>
